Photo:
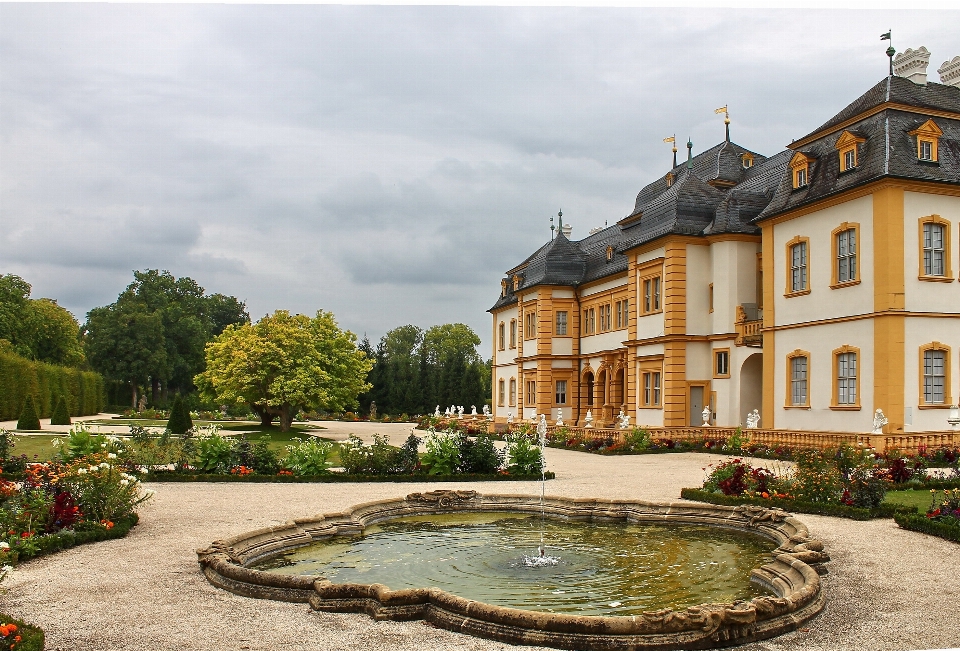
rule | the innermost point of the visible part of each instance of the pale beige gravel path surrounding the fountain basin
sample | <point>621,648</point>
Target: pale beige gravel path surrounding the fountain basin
<point>887,589</point>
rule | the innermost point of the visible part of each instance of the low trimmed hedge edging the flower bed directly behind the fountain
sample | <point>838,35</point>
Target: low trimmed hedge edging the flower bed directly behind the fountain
<point>333,478</point>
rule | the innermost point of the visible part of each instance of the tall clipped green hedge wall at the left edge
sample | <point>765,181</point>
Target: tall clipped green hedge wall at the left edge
<point>83,390</point>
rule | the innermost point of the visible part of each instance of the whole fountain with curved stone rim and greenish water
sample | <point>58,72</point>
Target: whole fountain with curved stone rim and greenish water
<point>602,542</point>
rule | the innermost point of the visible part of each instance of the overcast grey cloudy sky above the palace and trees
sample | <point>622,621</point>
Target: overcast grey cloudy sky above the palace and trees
<point>388,164</point>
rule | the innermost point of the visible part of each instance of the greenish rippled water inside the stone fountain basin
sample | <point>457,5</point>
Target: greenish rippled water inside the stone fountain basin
<point>603,568</point>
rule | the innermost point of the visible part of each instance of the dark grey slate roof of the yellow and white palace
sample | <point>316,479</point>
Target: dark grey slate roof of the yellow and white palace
<point>716,194</point>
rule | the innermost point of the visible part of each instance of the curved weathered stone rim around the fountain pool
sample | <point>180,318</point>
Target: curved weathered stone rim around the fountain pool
<point>792,577</point>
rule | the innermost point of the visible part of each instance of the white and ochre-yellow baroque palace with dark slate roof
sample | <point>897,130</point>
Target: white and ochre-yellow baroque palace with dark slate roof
<point>816,285</point>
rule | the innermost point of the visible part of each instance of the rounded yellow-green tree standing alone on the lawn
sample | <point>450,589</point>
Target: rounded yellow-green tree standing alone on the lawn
<point>285,363</point>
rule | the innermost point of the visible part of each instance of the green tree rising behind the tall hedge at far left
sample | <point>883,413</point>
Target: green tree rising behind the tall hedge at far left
<point>37,329</point>
